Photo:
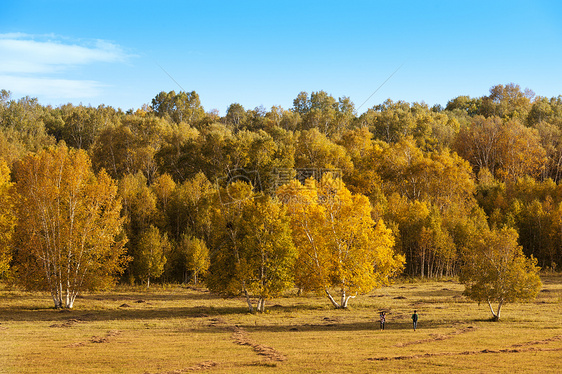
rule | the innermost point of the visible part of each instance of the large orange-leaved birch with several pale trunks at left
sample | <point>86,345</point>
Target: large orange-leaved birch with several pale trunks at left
<point>68,225</point>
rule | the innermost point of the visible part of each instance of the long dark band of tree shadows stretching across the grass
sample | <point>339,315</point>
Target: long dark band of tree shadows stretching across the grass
<point>206,316</point>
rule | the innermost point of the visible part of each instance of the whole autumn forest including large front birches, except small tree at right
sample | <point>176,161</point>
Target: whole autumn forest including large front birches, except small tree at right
<point>419,184</point>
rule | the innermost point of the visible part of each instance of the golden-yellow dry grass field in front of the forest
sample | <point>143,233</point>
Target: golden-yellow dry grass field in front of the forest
<point>181,330</point>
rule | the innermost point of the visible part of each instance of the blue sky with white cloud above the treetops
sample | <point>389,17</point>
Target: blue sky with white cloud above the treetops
<point>122,53</point>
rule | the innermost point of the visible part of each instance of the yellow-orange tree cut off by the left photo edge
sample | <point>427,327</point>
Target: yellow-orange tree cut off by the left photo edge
<point>7,218</point>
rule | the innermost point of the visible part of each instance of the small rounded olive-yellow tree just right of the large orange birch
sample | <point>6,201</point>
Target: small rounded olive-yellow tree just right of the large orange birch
<point>151,254</point>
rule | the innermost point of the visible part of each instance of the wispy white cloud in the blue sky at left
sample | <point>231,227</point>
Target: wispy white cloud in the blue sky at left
<point>41,65</point>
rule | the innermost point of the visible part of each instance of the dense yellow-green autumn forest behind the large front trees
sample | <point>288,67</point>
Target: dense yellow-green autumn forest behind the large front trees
<point>438,177</point>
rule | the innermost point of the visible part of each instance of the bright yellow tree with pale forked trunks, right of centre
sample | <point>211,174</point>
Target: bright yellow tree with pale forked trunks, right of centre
<point>339,245</point>
